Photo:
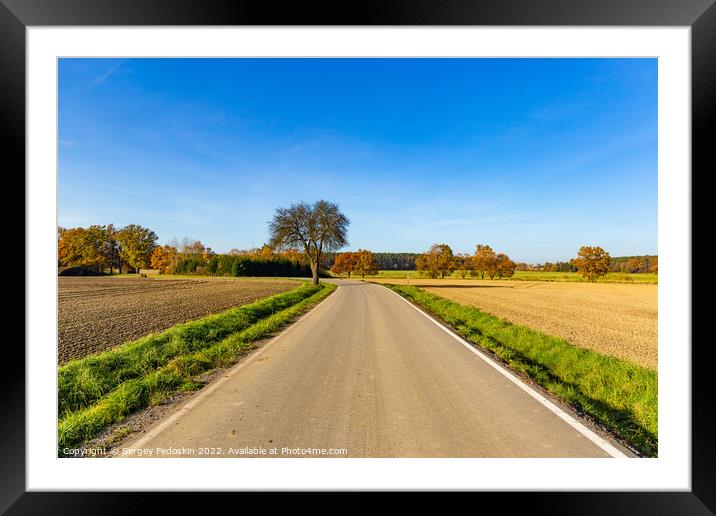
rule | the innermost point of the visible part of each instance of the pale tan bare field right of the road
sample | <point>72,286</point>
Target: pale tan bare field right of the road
<point>615,319</point>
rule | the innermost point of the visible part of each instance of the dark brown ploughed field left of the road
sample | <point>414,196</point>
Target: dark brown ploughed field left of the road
<point>95,314</point>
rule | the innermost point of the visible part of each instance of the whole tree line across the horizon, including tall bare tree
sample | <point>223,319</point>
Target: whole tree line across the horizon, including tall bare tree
<point>302,240</point>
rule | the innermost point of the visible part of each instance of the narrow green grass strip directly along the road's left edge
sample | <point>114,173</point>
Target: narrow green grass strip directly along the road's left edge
<point>177,375</point>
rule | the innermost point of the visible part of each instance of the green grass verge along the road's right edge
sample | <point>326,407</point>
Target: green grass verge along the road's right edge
<point>618,393</point>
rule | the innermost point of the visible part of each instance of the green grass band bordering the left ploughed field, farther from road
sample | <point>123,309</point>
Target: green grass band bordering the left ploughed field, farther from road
<point>82,382</point>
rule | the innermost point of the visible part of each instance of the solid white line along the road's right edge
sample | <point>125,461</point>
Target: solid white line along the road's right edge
<point>564,416</point>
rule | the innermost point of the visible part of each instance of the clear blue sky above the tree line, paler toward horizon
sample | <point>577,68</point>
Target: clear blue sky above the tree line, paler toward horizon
<point>534,157</point>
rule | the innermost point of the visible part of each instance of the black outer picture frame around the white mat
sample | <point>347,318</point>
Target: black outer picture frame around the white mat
<point>700,15</point>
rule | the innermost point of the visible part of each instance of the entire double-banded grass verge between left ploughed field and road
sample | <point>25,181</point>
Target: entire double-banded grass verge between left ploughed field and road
<point>149,370</point>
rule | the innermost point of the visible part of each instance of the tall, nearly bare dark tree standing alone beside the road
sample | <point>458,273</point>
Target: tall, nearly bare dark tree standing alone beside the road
<point>315,228</point>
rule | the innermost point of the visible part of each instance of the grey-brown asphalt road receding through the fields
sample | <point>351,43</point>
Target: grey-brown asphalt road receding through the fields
<point>367,373</point>
